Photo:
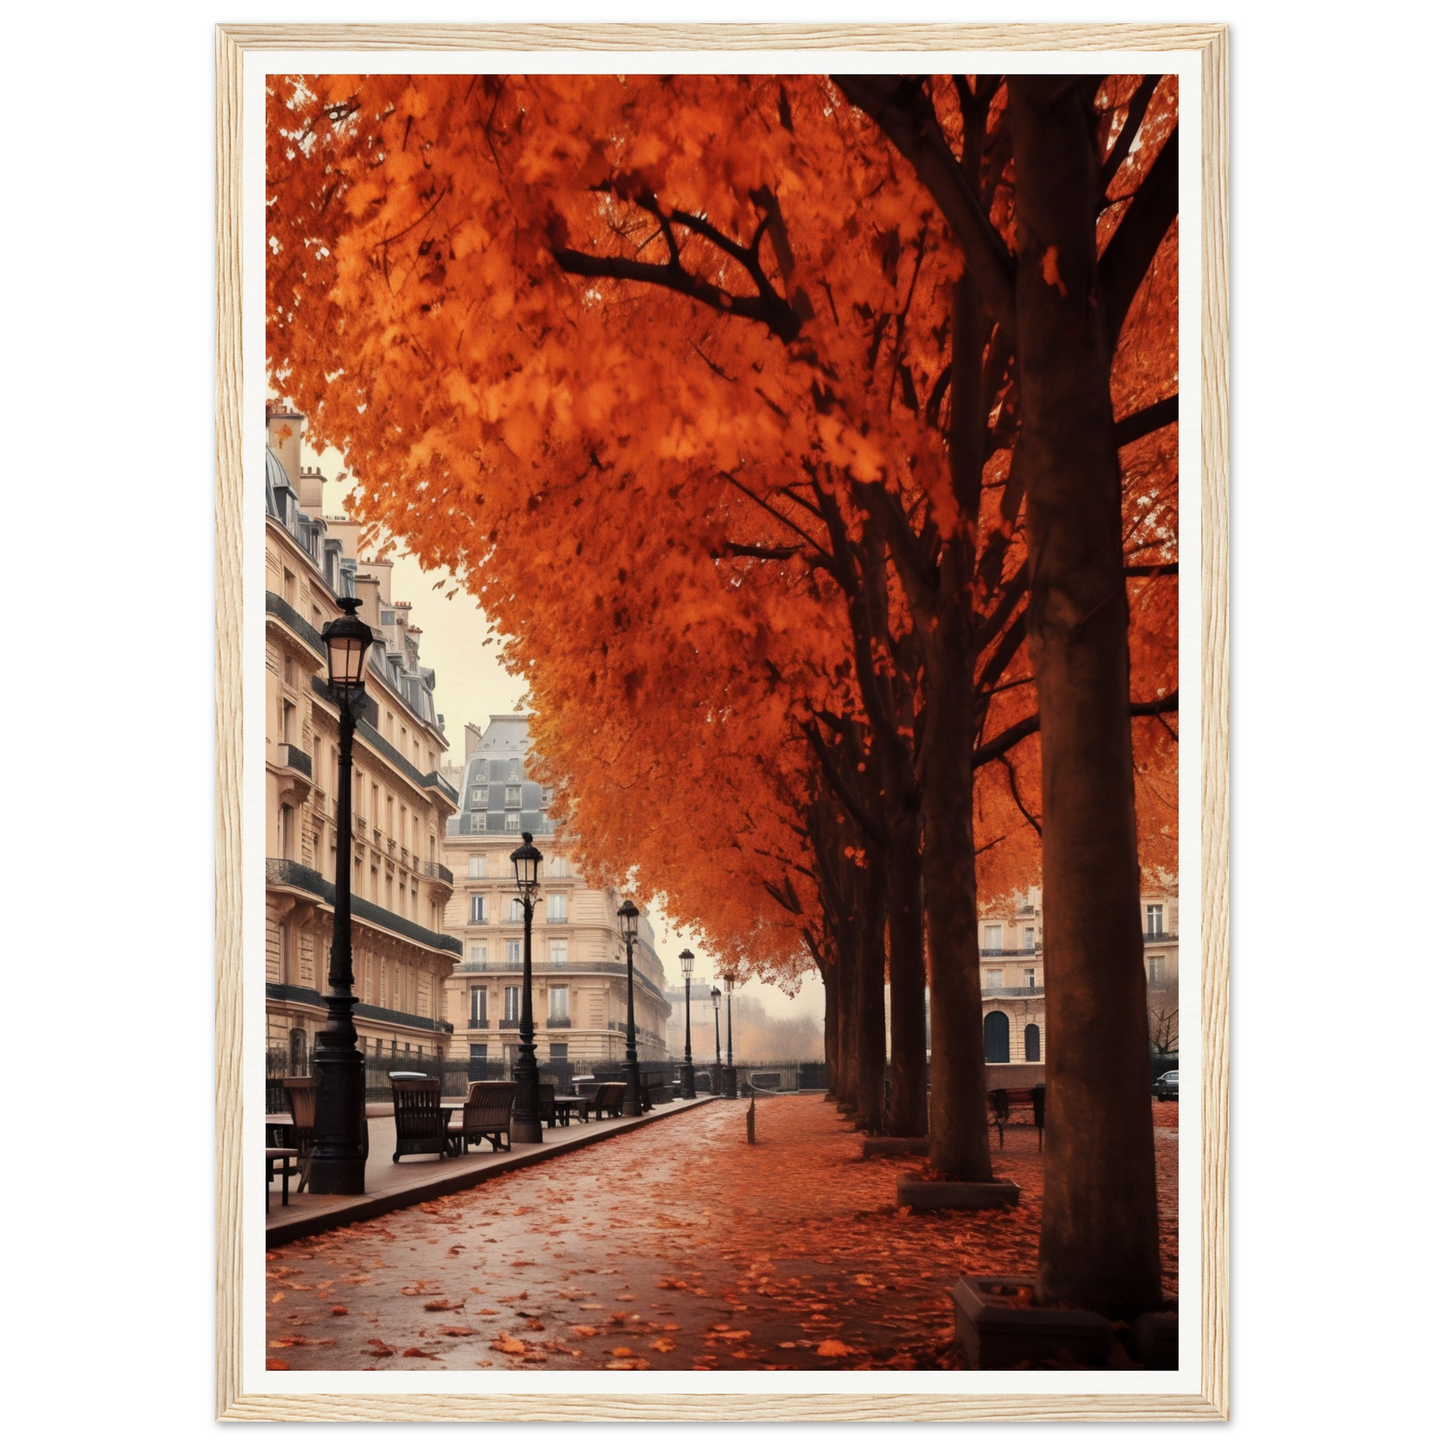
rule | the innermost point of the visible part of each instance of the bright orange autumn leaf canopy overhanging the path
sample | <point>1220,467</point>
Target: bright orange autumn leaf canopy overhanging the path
<point>644,361</point>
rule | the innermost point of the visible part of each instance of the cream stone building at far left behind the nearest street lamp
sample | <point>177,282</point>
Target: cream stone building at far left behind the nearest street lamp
<point>400,798</point>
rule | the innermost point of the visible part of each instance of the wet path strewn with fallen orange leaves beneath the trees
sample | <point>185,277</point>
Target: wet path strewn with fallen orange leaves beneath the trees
<point>678,1246</point>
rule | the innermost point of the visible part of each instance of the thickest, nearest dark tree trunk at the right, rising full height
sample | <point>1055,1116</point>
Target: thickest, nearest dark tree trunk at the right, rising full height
<point>1100,1232</point>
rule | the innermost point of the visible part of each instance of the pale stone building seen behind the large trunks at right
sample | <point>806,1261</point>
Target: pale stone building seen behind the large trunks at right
<point>1012,973</point>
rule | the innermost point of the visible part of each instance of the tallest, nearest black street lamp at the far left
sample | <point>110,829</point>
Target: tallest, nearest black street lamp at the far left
<point>339,1160</point>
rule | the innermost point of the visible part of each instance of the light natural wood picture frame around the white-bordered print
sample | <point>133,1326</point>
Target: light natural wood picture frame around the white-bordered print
<point>238,1411</point>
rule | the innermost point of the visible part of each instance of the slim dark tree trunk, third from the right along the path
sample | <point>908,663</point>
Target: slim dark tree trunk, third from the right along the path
<point>908,1105</point>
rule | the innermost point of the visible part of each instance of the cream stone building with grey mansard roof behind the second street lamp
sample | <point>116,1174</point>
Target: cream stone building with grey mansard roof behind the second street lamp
<point>579,963</point>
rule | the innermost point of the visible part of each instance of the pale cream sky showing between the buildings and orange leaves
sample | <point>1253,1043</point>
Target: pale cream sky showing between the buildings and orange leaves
<point>472,686</point>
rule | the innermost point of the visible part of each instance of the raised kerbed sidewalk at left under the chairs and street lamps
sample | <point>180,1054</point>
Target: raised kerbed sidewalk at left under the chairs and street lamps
<point>418,1178</point>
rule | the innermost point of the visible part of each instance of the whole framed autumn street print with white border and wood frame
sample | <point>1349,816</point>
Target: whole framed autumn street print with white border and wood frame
<point>957,129</point>
